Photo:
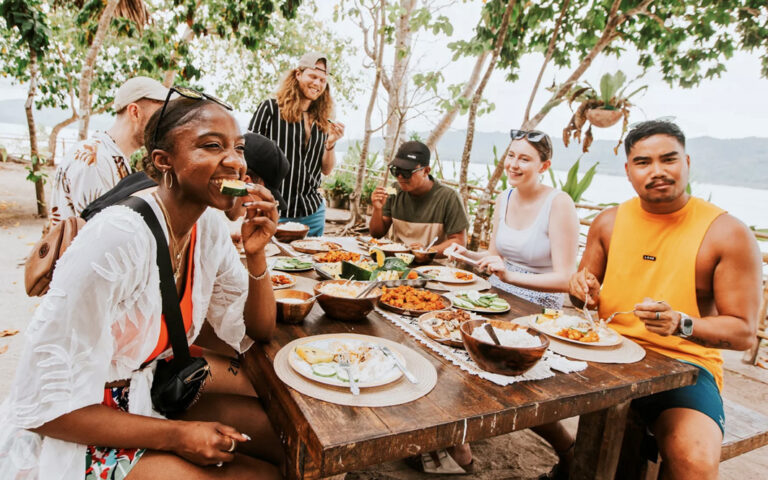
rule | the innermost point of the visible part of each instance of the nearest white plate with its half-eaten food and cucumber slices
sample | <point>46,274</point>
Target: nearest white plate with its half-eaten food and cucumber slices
<point>370,366</point>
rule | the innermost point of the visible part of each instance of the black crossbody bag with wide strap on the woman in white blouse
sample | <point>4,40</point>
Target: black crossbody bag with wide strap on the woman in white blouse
<point>178,382</point>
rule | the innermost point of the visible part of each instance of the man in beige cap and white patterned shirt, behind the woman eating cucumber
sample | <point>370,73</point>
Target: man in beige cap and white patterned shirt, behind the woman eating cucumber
<point>93,166</point>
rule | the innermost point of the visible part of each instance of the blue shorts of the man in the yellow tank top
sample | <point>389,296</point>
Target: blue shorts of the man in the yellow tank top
<point>703,396</point>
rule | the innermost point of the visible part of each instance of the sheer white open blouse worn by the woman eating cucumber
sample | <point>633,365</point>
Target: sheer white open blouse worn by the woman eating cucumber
<point>98,322</point>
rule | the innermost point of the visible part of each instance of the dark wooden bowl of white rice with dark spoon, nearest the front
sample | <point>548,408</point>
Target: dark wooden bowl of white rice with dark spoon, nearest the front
<point>521,347</point>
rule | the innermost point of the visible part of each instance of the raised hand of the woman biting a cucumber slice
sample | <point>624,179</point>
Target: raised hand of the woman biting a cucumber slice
<point>260,219</point>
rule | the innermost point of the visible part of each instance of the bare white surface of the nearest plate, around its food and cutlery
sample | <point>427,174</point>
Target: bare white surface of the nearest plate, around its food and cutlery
<point>384,371</point>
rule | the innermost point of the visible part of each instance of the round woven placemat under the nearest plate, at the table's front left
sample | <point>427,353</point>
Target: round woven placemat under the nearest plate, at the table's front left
<point>398,392</point>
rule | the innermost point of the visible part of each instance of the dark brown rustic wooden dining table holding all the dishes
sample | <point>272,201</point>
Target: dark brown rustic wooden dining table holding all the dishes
<point>323,439</point>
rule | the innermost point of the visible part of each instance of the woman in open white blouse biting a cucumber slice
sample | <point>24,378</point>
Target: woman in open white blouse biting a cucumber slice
<point>101,320</point>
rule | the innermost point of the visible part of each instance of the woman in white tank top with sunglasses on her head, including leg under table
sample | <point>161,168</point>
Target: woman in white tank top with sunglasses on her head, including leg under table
<point>534,243</point>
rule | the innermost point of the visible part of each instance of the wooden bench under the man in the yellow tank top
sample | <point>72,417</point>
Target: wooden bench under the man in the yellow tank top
<point>745,430</point>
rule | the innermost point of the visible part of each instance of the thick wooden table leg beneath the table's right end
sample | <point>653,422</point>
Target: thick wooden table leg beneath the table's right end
<point>598,443</point>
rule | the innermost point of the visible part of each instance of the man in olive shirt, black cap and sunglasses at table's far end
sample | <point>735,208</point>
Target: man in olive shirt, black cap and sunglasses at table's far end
<point>422,208</point>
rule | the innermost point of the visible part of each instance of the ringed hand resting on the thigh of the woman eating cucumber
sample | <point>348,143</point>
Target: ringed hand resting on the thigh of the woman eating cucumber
<point>207,443</point>
